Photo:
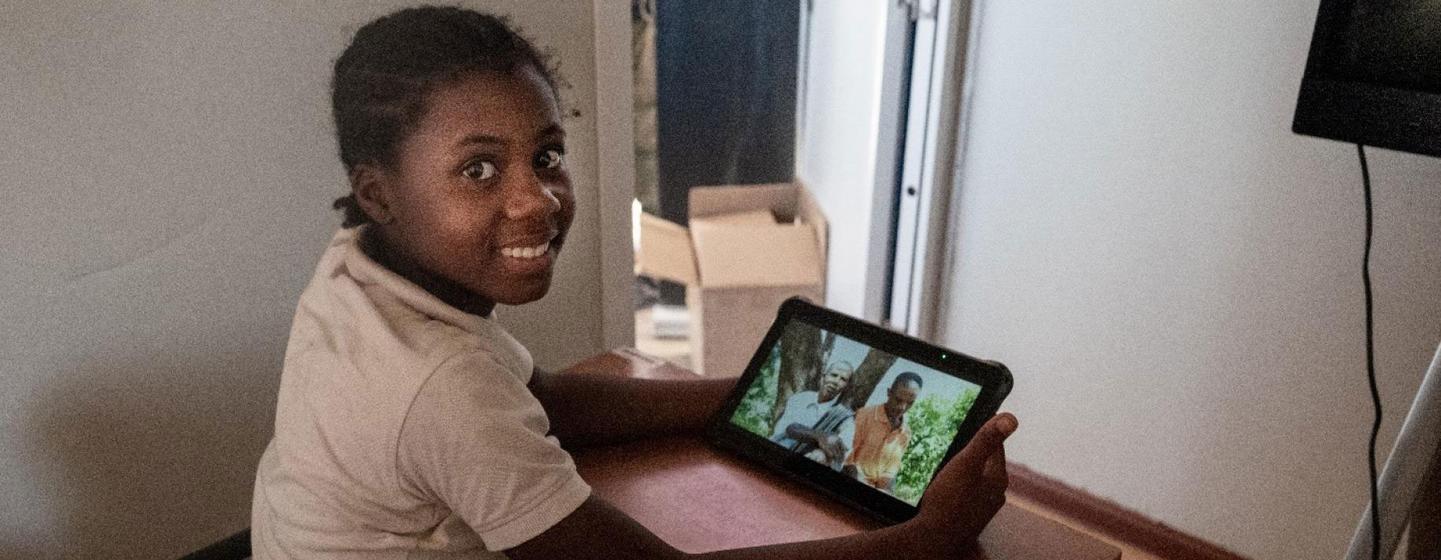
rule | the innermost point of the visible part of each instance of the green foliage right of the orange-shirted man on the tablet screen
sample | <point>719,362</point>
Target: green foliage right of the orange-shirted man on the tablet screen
<point>933,423</point>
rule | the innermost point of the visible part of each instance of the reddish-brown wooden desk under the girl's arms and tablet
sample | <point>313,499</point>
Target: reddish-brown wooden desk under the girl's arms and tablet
<point>700,500</point>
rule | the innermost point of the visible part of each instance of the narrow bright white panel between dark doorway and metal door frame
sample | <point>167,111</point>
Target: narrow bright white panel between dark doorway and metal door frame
<point>848,142</point>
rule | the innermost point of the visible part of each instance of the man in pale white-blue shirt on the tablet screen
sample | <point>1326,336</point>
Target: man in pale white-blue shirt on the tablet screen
<point>812,421</point>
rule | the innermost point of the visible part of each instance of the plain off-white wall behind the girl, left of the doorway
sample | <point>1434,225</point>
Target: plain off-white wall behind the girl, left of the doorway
<point>168,178</point>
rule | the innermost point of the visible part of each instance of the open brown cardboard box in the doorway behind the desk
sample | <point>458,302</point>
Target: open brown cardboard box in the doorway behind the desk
<point>749,248</point>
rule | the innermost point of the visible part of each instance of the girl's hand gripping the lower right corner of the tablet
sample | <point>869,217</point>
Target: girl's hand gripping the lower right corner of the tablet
<point>966,494</point>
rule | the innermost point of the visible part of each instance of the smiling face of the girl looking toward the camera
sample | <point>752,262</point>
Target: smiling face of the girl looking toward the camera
<point>479,199</point>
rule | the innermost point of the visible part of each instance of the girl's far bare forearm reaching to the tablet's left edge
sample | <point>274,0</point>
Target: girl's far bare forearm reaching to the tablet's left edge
<point>593,410</point>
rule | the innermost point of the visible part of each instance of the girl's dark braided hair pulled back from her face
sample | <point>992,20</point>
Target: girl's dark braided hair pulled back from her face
<point>393,66</point>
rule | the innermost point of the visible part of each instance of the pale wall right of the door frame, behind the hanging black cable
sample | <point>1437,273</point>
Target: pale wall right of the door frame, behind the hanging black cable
<point>1175,277</point>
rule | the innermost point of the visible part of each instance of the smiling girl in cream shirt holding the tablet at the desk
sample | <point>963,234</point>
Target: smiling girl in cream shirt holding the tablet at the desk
<point>410,425</point>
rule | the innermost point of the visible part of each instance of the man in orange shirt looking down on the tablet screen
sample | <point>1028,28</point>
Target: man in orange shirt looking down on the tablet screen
<point>881,435</point>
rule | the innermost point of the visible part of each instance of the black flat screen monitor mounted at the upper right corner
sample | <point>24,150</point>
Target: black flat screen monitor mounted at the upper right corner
<point>1374,76</point>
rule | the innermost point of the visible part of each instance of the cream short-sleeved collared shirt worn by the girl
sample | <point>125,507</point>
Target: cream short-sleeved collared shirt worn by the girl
<point>404,428</point>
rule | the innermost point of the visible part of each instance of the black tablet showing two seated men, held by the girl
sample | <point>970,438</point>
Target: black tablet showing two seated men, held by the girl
<point>861,412</point>
